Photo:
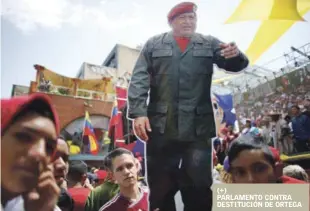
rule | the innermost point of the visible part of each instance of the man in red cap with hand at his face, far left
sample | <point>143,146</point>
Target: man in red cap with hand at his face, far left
<point>29,129</point>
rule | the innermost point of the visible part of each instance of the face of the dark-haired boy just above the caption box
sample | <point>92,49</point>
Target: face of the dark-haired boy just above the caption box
<point>251,166</point>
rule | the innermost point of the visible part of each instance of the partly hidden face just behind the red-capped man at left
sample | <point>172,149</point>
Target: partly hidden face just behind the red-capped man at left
<point>61,164</point>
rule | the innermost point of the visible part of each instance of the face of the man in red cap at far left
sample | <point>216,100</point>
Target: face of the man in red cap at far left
<point>26,149</point>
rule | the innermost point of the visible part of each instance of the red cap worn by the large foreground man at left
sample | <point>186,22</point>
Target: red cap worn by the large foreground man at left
<point>11,107</point>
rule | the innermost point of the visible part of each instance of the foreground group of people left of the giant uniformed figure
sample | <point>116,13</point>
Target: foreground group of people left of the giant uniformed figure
<point>45,179</point>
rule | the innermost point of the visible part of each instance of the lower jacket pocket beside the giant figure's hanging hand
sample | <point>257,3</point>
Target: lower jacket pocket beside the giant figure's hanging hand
<point>158,117</point>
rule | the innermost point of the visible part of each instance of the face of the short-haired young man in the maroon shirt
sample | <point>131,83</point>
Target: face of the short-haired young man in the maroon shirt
<point>125,170</point>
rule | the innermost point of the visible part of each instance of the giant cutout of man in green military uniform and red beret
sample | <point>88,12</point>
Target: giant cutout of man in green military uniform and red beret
<point>175,71</point>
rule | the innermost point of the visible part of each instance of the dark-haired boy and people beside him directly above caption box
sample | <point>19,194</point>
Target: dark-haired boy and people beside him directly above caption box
<point>250,160</point>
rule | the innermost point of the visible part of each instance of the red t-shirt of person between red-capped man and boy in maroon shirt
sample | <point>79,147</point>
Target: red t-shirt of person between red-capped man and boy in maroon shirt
<point>79,196</point>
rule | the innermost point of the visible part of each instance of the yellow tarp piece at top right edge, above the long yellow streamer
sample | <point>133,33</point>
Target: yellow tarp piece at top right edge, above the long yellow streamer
<point>266,10</point>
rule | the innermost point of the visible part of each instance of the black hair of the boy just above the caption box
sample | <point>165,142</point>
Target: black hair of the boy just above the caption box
<point>247,142</point>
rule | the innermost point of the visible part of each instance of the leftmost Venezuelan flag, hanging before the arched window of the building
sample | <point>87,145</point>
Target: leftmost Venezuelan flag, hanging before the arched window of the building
<point>89,134</point>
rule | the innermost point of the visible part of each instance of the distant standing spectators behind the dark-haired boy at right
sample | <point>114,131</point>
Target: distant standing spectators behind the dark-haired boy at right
<point>289,135</point>
